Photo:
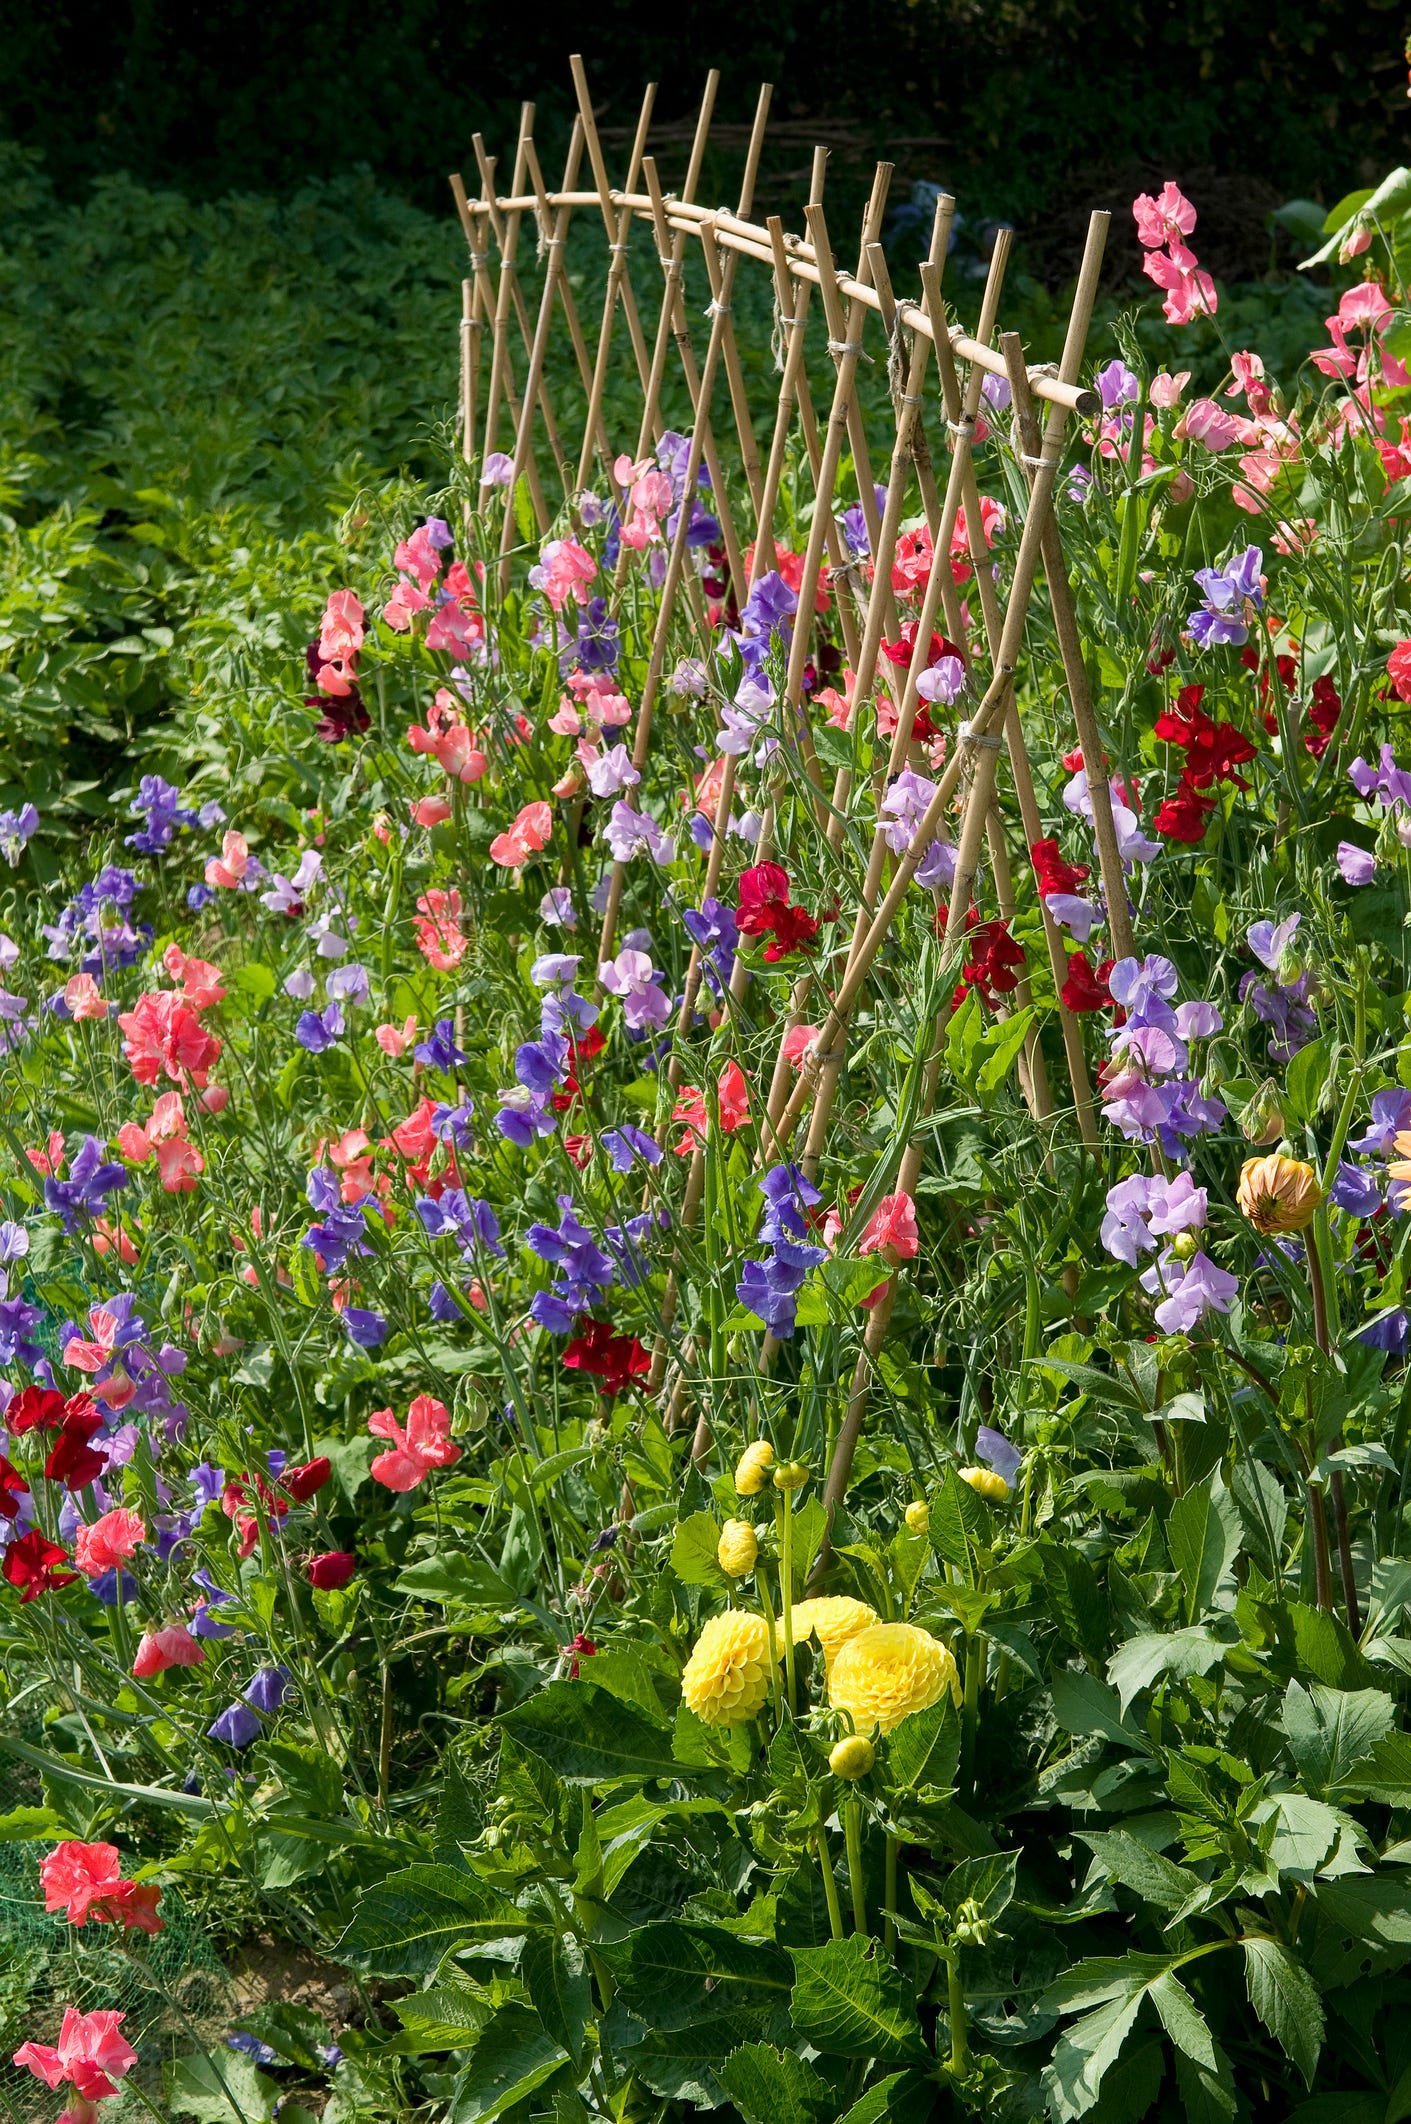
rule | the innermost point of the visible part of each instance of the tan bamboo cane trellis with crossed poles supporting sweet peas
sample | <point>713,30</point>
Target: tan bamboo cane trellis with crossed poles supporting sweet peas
<point>919,345</point>
